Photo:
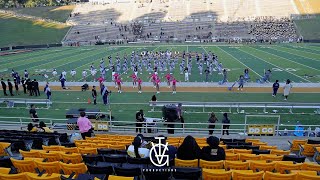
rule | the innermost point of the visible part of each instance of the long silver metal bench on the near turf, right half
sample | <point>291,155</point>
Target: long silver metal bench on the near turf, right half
<point>239,105</point>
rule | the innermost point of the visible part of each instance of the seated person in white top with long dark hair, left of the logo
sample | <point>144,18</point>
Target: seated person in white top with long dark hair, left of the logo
<point>135,150</point>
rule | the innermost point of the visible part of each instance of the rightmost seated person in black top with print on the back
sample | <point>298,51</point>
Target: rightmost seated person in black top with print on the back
<point>213,152</point>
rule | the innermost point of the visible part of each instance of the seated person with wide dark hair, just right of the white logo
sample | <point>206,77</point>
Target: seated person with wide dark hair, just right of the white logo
<point>189,149</point>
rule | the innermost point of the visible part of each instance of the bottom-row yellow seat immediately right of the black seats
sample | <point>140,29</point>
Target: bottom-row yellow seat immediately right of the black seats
<point>216,174</point>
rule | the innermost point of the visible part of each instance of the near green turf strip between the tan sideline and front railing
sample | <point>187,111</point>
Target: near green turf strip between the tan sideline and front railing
<point>125,105</point>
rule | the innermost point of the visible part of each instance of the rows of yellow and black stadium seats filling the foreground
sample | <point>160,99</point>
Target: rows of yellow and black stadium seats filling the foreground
<point>97,155</point>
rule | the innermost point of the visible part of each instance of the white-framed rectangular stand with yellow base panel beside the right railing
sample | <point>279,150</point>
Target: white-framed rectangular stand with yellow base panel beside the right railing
<point>262,124</point>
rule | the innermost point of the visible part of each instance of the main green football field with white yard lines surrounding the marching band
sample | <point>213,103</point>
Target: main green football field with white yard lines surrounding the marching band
<point>292,61</point>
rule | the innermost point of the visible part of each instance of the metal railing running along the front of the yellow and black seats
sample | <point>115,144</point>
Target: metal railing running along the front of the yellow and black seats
<point>153,127</point>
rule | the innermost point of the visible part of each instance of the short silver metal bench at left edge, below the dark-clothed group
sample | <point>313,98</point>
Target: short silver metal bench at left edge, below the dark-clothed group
<point>12,101</point>
